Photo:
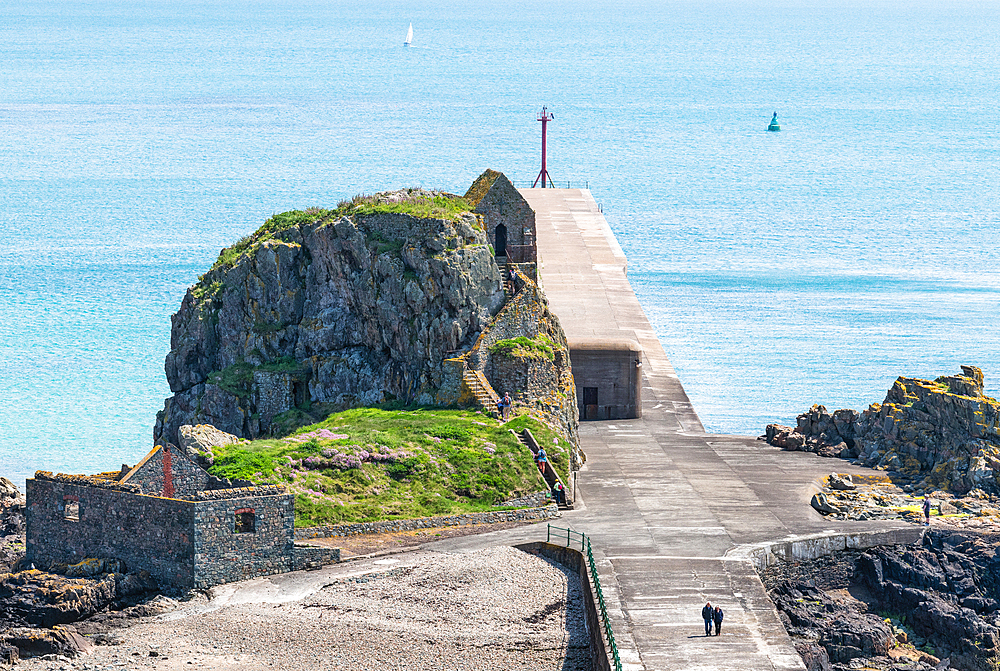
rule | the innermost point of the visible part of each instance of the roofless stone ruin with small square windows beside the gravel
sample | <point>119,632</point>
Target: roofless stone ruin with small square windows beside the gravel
<point>168,516</point>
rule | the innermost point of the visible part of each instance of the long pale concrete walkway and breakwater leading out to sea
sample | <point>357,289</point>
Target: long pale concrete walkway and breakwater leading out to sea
<point>671,510</point>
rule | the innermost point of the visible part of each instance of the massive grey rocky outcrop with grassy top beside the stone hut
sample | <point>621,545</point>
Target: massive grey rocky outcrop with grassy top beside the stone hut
<point>346,307</point>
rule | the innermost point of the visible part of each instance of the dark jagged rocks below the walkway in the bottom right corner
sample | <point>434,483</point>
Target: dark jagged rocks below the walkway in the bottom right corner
<point>913,607</point>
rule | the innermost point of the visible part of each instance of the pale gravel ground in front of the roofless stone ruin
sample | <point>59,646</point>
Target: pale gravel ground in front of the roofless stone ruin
<point>495,609</point>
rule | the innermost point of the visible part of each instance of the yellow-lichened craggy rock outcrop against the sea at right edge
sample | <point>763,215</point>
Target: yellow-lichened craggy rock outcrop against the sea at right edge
<point>943,433</point>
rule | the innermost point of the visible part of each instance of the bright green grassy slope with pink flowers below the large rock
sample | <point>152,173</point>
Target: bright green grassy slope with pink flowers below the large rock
<point>372,464</point>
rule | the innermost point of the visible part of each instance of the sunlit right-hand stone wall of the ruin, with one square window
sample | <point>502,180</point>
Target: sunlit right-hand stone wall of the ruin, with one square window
<point>226,555</point>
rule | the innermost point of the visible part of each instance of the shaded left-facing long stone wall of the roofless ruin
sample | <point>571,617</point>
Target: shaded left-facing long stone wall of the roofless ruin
<point>146,532</point>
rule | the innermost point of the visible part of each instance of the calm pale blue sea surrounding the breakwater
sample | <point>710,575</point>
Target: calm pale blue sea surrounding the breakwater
<point>779,269</point>
